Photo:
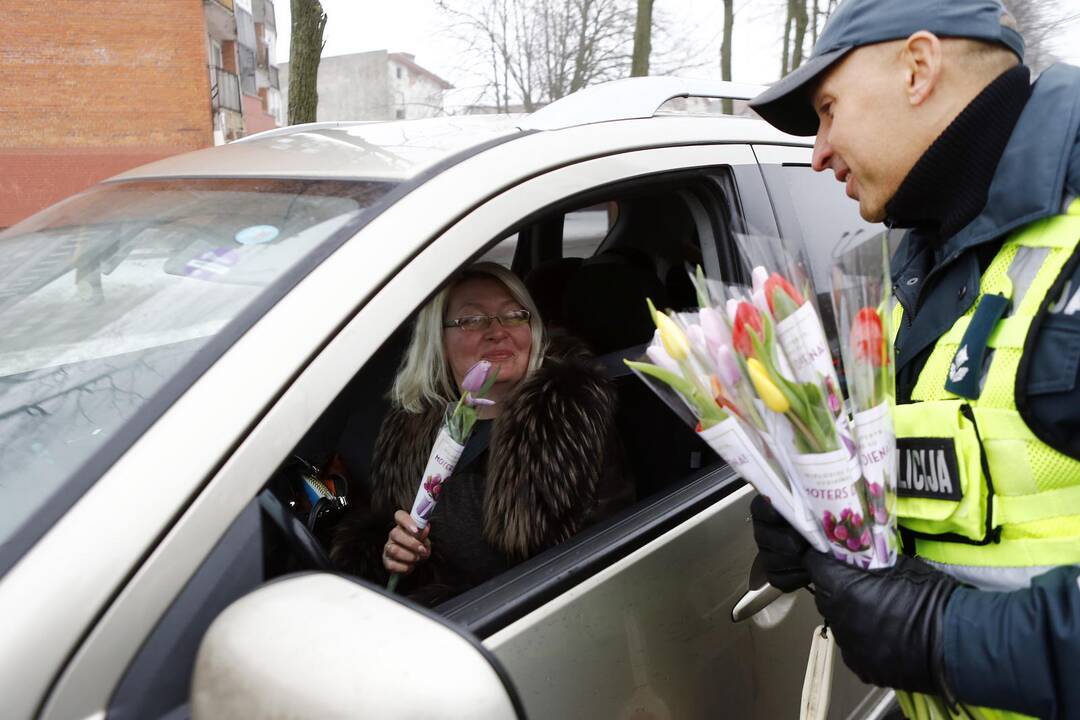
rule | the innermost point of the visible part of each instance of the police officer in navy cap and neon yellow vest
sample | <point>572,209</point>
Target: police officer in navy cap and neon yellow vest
<point>925,111</point>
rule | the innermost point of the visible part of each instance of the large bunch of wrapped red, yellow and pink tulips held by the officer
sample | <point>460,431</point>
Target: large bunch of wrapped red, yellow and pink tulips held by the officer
<point>751,370</point>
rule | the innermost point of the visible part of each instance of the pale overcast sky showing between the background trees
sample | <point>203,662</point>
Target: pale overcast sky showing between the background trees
<point>420,28</point>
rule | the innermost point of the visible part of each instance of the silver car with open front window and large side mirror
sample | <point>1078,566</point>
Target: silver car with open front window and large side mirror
<point>180,343</point>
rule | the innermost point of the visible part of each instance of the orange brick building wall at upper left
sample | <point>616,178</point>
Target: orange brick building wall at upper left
<point>92,88</point>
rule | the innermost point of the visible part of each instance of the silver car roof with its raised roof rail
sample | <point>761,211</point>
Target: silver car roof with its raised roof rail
<point>402,151</point>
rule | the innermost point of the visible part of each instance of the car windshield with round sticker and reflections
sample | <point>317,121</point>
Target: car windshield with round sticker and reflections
<point>113,303</point>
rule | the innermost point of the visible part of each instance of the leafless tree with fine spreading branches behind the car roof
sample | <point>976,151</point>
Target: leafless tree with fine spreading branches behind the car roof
<point>538,51</point>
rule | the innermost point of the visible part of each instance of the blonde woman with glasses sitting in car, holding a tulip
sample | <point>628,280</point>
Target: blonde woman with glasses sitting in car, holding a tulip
<point>543,463</point>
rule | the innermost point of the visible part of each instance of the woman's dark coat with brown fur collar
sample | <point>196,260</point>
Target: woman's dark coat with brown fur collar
<point>552,466</point>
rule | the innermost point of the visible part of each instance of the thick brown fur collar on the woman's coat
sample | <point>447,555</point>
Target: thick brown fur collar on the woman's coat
<point>545,461</point>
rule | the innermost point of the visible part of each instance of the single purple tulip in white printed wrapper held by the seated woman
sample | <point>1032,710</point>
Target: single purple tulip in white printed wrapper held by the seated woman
<point>450,444</point>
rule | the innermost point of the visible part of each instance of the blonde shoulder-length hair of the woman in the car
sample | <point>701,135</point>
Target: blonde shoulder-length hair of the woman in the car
<point>425,377</point>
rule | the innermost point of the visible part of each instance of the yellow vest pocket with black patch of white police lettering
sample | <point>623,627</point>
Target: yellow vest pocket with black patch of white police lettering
<point>942,491</point>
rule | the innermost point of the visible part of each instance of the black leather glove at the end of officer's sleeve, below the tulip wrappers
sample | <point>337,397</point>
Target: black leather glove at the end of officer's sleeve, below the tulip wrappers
<point>889,623</point>
